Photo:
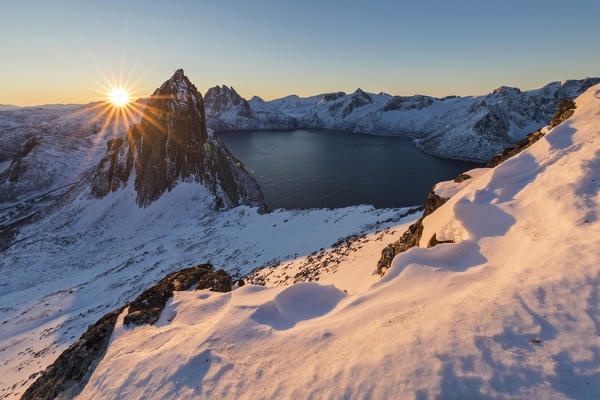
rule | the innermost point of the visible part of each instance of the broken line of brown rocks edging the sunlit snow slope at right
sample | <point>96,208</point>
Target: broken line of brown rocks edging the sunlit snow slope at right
<point>412,236</point>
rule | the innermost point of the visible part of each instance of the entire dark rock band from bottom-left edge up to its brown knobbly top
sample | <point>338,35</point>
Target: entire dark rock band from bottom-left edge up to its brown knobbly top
<point>66,377</point>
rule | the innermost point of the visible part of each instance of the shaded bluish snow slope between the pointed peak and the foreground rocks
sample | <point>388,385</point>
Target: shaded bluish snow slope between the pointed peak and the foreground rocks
<point>95,255</point>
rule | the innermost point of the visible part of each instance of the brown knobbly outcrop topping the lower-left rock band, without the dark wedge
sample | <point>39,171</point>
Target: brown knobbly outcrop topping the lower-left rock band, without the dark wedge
<point>146,308</point>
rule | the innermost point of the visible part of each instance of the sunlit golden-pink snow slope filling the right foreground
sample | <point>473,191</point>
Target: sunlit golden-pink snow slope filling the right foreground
<point>509,310</point>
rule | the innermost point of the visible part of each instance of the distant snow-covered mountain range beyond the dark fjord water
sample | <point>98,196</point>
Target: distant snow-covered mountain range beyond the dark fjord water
<point>470,128</point>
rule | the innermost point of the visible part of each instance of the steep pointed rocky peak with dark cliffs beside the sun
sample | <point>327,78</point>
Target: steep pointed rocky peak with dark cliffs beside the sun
<point>171,144</point>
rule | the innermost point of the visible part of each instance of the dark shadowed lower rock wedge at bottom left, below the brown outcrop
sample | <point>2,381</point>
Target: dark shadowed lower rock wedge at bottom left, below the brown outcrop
<point>71,369</point>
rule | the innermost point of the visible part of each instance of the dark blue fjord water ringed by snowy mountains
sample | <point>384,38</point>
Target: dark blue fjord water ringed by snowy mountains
<point>329,169</point>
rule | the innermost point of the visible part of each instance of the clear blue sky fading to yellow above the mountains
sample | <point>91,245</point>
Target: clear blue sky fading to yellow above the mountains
<point>62,51</point>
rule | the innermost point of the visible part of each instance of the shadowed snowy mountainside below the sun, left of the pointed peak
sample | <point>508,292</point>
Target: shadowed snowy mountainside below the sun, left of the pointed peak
<point>44,152</point>
